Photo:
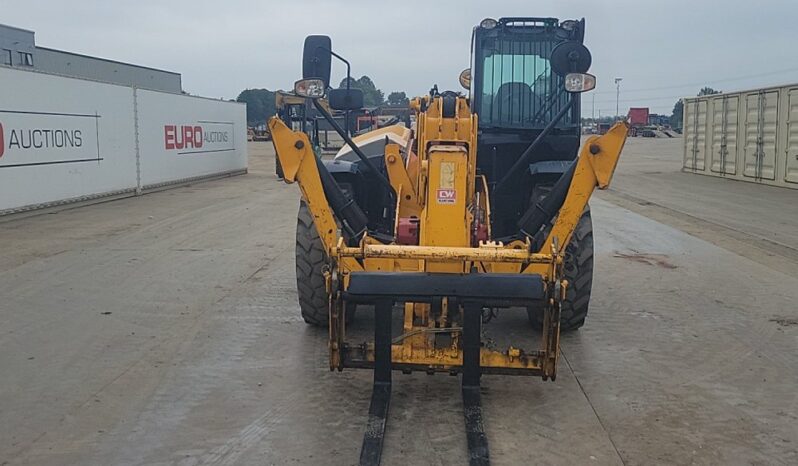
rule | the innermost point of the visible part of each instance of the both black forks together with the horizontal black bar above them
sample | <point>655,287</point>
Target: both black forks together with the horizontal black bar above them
<point>383,290</point>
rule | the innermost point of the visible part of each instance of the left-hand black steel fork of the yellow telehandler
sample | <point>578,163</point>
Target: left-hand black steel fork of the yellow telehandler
<point>371,451</point>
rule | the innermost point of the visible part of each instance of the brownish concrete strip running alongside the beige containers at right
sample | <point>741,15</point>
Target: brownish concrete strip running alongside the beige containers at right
<point>759,222</point>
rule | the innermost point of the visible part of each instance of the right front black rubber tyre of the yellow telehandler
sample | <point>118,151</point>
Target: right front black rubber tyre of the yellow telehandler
<point>578,270</point>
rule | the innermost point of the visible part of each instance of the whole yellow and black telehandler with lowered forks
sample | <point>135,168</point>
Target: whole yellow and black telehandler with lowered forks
<point>482,205</point>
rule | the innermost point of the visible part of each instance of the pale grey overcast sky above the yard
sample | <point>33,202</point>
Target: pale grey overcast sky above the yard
<point>662,49</point>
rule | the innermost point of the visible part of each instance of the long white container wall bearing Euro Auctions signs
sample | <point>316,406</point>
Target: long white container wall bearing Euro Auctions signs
<point>65,139</point>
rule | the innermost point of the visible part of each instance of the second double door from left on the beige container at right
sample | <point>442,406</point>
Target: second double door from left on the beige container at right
<point>724,135</point>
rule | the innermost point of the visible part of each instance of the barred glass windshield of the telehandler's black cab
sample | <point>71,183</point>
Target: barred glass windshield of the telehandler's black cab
<point>517,84</point>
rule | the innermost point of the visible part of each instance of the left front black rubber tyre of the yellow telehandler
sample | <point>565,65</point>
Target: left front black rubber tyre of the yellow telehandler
<point>310,262</point>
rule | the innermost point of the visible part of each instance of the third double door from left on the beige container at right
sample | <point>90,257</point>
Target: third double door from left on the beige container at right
<point>761,129</point>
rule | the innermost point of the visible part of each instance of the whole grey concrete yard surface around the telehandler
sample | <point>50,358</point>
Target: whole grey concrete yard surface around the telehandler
<point>164,330</point>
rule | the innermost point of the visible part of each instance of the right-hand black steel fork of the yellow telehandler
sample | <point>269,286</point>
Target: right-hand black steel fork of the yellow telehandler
<point>472,403</point>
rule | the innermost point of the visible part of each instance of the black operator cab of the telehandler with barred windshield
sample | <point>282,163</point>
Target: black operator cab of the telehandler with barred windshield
<point>529,114</point>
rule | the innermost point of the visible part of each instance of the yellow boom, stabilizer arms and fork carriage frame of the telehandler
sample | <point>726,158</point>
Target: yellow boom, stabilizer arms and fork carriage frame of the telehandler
<point>445,140</point>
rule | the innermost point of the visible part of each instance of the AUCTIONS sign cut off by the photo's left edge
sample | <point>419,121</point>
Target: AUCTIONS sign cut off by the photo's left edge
<point>30,138</point>
